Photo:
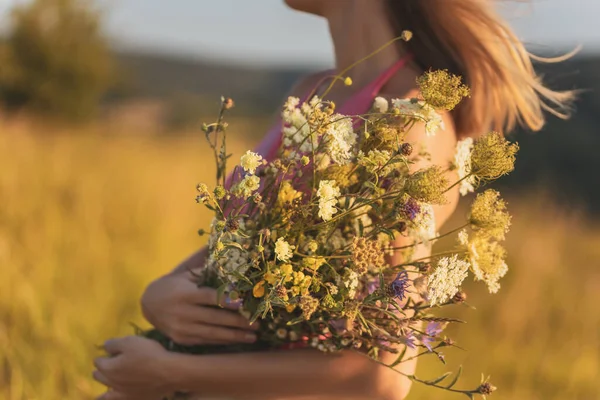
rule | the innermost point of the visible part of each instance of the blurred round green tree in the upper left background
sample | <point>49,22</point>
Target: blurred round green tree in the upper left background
<point>54,59</point>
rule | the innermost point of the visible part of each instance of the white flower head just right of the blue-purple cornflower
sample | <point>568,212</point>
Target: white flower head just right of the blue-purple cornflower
<point>446,279</point>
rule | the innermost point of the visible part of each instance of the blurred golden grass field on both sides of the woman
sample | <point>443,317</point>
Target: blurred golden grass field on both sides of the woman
<point>87,220</point>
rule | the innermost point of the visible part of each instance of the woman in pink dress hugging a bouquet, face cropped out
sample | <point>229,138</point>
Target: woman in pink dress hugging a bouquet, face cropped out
<point>465,37</point>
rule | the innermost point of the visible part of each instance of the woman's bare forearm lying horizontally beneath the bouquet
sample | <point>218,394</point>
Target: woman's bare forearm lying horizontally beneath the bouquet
<point>287,374</point>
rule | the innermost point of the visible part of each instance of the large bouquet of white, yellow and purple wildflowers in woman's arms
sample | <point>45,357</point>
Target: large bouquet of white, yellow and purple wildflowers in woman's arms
<point>304,241</point>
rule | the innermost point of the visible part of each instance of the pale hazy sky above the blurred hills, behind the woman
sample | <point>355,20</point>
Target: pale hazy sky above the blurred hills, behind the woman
<point>266,32</point>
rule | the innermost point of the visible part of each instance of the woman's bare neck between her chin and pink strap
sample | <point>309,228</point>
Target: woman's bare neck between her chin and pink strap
<point>356,36</point>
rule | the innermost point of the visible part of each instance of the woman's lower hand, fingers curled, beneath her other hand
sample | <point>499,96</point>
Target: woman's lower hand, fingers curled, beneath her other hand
<point>137,368</point>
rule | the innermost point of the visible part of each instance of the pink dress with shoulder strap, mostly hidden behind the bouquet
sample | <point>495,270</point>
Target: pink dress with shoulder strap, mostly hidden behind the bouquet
<point>359,103</point>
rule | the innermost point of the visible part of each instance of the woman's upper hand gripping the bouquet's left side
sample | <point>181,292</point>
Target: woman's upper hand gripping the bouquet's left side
<point>191,316</point>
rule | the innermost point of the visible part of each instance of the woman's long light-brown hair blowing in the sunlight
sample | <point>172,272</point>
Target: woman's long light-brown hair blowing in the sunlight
<point>469,38</point>
